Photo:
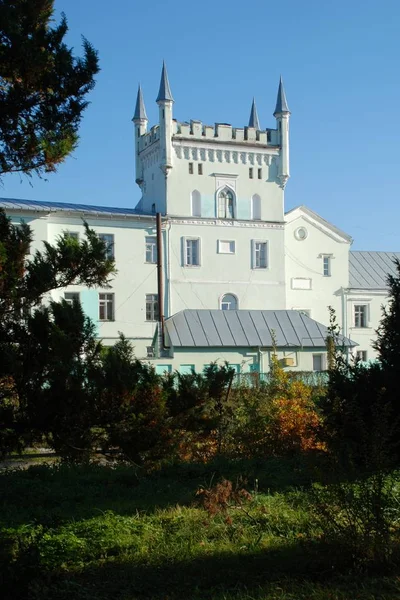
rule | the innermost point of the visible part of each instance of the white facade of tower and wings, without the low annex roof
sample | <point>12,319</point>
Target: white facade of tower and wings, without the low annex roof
<point>227,242</point>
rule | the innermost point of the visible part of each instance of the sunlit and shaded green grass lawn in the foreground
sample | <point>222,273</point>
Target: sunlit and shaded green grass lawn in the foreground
<point>104,533</point>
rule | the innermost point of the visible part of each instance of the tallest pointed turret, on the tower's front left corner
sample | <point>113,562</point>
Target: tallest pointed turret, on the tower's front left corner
<point>165,102</point>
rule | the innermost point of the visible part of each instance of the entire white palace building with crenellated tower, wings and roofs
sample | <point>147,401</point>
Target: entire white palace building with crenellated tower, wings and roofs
<point>236,269</point>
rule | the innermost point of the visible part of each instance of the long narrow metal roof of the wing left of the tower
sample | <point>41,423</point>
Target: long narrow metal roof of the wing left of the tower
<point>34,205</point>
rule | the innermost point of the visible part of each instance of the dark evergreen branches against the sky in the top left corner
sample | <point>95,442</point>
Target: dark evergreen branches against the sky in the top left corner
<point>43,88</point>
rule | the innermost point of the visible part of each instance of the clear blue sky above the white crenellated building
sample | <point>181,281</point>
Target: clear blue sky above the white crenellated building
<point>340,63</point>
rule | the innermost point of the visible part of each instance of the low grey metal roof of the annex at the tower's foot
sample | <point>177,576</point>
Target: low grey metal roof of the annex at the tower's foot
<point>246,328</point>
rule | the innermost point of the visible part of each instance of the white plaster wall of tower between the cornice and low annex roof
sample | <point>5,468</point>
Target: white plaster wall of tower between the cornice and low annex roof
<point>219,274</point>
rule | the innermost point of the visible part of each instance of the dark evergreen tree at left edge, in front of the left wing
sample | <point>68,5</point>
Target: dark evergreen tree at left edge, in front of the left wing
<point>43,345</point>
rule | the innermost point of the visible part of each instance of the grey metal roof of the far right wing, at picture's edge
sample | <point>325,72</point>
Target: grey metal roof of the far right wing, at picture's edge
<point>369,270</point>
